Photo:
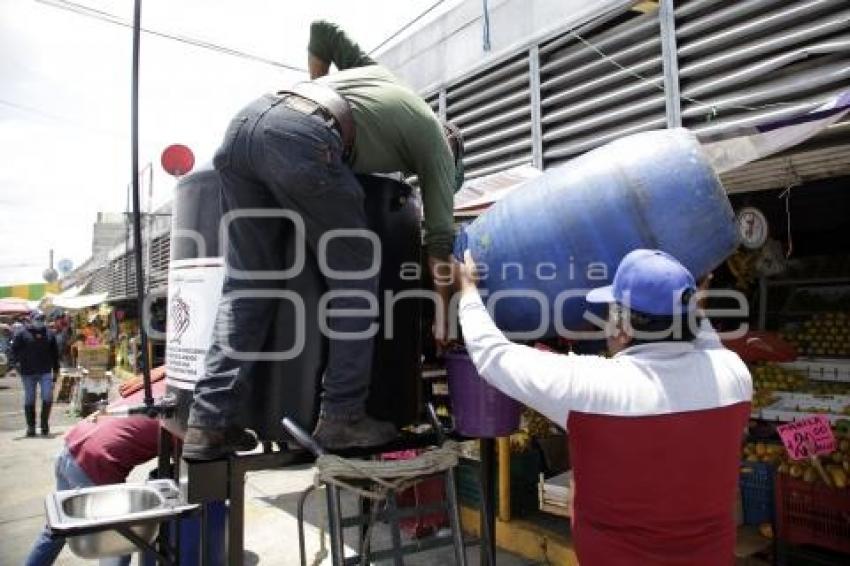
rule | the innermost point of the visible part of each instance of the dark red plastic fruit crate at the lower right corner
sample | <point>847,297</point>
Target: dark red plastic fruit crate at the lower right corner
<point>812,513</point>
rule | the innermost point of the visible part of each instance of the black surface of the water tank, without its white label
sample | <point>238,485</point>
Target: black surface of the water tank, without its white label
<point>291,388</point>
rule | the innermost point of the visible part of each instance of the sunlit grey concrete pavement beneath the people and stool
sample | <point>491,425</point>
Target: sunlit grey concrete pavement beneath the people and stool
<point>26,476</point>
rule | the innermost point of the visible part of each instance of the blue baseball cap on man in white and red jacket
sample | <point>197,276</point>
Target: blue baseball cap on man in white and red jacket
<point>649,281</point>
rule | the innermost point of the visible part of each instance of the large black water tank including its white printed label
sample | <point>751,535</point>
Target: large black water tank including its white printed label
<point>291,387</point>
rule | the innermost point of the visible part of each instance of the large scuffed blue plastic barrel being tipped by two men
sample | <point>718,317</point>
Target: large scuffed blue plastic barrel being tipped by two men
<point>567,230</point>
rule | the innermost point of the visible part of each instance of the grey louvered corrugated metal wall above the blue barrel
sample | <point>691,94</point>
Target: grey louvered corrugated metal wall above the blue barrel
<point>740,64</point>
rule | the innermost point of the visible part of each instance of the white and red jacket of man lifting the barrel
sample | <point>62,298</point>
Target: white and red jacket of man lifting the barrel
<point>654,436</point>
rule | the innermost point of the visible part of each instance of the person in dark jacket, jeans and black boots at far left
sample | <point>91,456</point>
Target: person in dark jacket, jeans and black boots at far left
<point>37,356</point>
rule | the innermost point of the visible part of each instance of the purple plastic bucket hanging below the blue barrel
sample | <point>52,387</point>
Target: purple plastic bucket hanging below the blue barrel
<point>480,410</point>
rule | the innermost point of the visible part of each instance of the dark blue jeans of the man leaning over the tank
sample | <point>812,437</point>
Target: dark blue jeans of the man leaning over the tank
<point>281,160</point>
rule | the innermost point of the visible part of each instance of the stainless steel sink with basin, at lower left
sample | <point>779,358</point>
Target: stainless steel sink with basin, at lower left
<point>90,516</point>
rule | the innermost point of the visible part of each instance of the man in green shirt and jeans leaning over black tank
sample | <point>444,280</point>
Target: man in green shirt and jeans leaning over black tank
<point>298,151</point>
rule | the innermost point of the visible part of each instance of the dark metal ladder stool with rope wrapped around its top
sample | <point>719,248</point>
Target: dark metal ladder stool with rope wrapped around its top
<point>391,513</point>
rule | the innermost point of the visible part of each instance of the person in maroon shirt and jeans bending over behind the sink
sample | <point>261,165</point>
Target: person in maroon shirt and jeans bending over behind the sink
<point>100,450</point>
